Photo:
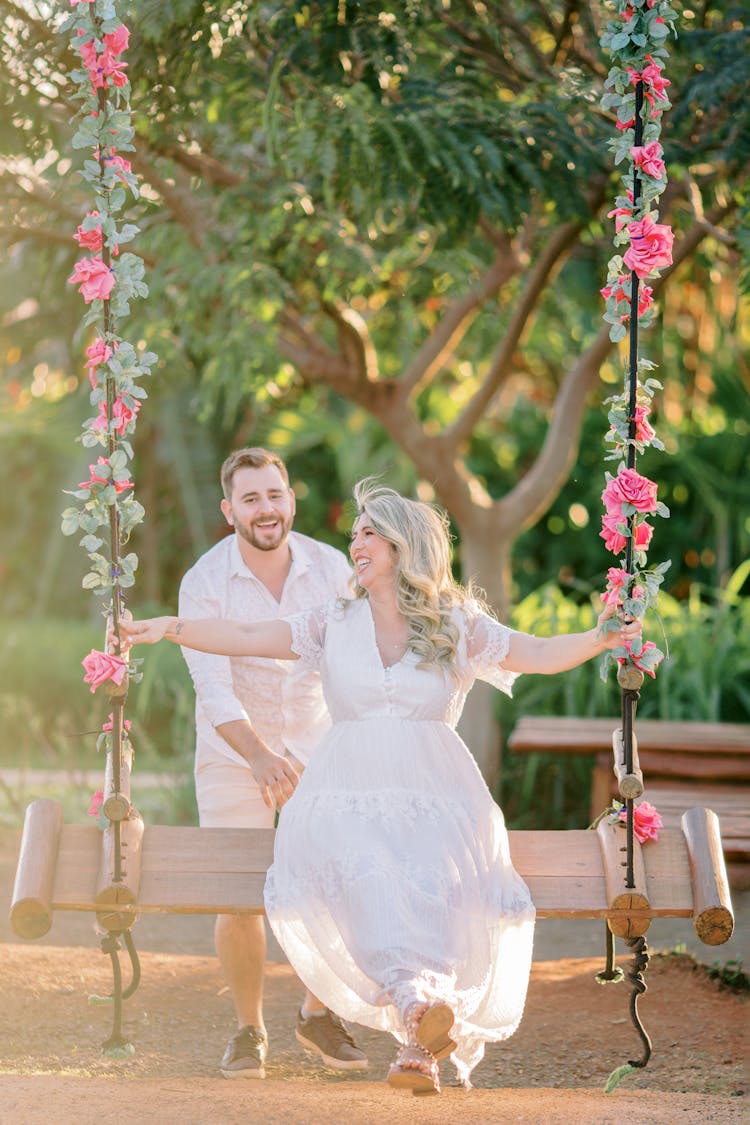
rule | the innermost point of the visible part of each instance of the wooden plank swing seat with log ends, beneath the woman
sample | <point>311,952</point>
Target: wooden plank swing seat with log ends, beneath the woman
<point>180,870</point>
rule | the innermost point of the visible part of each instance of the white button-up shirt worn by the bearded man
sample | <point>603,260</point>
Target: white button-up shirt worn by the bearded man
<point>282,699</point>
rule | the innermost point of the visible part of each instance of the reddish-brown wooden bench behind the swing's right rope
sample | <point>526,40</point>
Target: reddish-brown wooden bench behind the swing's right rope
<point>684,766</point>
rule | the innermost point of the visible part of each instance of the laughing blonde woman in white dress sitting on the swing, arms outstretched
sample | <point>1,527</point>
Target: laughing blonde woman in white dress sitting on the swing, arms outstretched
<point>392,890</point>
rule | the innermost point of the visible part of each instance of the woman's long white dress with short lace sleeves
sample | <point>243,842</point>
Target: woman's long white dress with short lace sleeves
<point>392,877</point>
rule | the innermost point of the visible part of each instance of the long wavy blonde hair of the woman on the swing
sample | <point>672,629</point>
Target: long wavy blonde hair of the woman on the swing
<point>427,592</point>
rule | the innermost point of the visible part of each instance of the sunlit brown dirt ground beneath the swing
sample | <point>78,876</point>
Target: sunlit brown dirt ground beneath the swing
<point>574,1034</point>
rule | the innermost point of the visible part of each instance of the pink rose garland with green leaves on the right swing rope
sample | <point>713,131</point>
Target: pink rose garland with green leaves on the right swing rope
<point>630,498</point>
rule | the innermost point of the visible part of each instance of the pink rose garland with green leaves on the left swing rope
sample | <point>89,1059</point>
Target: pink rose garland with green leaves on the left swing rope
<point>107,281</point>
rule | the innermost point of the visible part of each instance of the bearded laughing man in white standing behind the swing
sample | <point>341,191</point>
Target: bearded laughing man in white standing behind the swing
<point>258,722</point>
